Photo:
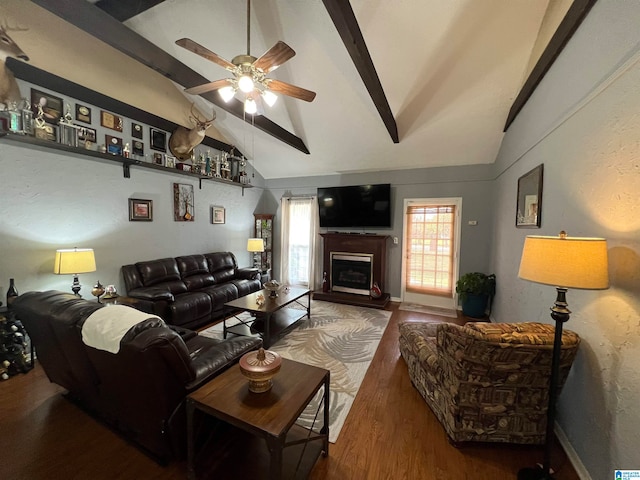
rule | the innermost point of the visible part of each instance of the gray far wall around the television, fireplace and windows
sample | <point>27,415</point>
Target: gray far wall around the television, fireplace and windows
<point>472,183</point>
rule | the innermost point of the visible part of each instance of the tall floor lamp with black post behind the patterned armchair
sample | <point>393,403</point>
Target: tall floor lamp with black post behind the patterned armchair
<point>563,262</point>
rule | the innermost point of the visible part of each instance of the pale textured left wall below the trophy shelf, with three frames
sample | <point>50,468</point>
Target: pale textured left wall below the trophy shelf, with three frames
<point>54,200</point>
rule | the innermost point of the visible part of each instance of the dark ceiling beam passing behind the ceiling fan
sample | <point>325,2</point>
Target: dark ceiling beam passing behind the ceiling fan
<point>104,27</point>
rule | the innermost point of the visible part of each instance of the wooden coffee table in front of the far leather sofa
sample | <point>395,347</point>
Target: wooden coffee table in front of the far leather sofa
<point>270,320</point>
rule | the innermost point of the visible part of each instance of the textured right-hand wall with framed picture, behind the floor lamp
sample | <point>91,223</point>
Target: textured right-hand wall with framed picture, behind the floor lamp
<point>583,124</point>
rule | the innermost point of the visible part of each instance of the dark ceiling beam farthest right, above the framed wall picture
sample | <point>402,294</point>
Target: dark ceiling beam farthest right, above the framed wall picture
<point>570,23</point>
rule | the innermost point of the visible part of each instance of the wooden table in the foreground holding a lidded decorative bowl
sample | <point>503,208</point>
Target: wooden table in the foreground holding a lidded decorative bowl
<point>291,450</point>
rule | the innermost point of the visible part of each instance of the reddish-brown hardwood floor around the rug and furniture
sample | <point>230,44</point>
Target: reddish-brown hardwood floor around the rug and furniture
<point>390,433</point>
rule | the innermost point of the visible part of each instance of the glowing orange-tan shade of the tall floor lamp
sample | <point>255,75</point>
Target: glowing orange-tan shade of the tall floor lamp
<point>565,262</point>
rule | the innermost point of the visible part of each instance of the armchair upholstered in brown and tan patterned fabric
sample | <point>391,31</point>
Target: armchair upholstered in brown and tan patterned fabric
<point>486,382</point>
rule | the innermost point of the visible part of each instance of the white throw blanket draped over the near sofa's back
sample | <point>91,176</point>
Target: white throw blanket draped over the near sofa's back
<point>105,327</point>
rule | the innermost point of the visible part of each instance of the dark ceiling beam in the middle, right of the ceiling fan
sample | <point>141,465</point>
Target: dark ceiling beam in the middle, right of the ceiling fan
<point>345,22</point>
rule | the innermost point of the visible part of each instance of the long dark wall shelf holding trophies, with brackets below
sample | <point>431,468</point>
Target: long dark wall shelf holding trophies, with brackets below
<point>126,163</point>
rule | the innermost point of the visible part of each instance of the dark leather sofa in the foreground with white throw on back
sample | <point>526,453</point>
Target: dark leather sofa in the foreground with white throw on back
<point>139,391</point>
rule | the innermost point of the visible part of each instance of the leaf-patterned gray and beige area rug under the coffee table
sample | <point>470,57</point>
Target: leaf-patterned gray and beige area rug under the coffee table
<point>341,338</point>
